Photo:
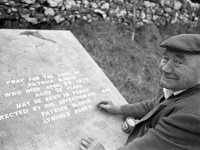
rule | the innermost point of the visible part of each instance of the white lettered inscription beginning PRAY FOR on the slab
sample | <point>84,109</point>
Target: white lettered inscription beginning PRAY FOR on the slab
<point>53,97</point>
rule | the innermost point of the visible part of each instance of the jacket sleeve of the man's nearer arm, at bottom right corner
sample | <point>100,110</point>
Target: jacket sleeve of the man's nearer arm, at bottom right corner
<point>179,131</point>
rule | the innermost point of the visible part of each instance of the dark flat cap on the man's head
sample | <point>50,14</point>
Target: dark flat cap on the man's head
<point>189,43</point>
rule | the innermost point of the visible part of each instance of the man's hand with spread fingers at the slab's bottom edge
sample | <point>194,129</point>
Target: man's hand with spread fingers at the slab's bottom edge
<point>90,144</point>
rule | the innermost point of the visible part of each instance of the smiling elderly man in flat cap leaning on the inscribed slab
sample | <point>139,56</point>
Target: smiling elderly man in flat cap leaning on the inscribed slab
<point>172,120</point>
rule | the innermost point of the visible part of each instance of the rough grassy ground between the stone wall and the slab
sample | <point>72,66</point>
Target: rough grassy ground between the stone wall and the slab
<point>132,65</point>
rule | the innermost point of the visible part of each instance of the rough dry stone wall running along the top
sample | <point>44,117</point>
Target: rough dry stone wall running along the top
<point>129,12</point>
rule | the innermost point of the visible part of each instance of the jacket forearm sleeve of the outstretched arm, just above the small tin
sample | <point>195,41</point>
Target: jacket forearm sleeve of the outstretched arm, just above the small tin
<point>137,110</point>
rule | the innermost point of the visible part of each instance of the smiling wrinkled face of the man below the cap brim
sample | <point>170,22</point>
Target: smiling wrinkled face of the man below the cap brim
<point>179,70</point>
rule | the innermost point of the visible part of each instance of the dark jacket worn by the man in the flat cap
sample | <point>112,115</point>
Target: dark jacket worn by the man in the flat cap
<point>171,124</point>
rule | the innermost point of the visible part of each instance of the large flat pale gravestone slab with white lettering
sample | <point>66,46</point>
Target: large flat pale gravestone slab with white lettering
<point>49,89</point>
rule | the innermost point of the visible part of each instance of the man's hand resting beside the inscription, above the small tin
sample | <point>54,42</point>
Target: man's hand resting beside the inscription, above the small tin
<point>109,107</point>
